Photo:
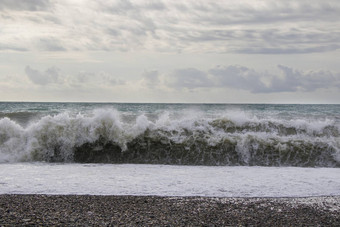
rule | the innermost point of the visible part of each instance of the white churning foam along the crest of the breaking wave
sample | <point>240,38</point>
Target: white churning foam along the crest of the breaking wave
<point>62,133</point>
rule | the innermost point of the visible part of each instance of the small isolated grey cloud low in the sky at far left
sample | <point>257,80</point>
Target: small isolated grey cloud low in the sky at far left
<point>51,75</point>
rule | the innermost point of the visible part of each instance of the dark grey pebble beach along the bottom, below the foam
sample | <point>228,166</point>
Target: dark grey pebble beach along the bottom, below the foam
<point>110,210</point>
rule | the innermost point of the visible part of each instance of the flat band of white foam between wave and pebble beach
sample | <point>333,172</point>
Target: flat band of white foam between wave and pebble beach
<point>168,180</point>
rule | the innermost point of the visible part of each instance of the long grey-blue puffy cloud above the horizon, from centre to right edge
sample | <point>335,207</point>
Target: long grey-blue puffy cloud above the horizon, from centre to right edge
<point>243,78</point>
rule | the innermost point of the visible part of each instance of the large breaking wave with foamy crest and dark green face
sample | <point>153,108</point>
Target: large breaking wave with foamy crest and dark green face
<point>185,138</point>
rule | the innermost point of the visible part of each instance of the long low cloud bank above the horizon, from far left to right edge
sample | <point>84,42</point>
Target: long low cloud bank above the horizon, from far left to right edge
<point>234,77</point>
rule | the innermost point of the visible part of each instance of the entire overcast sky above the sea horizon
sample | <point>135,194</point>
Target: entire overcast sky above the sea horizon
<point>192,51</point>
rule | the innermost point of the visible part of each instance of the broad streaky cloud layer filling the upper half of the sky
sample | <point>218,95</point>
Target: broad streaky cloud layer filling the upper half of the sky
<point>193,26</point>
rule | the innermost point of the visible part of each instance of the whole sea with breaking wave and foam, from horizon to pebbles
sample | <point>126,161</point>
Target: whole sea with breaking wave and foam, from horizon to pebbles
<point>215,150</point>
